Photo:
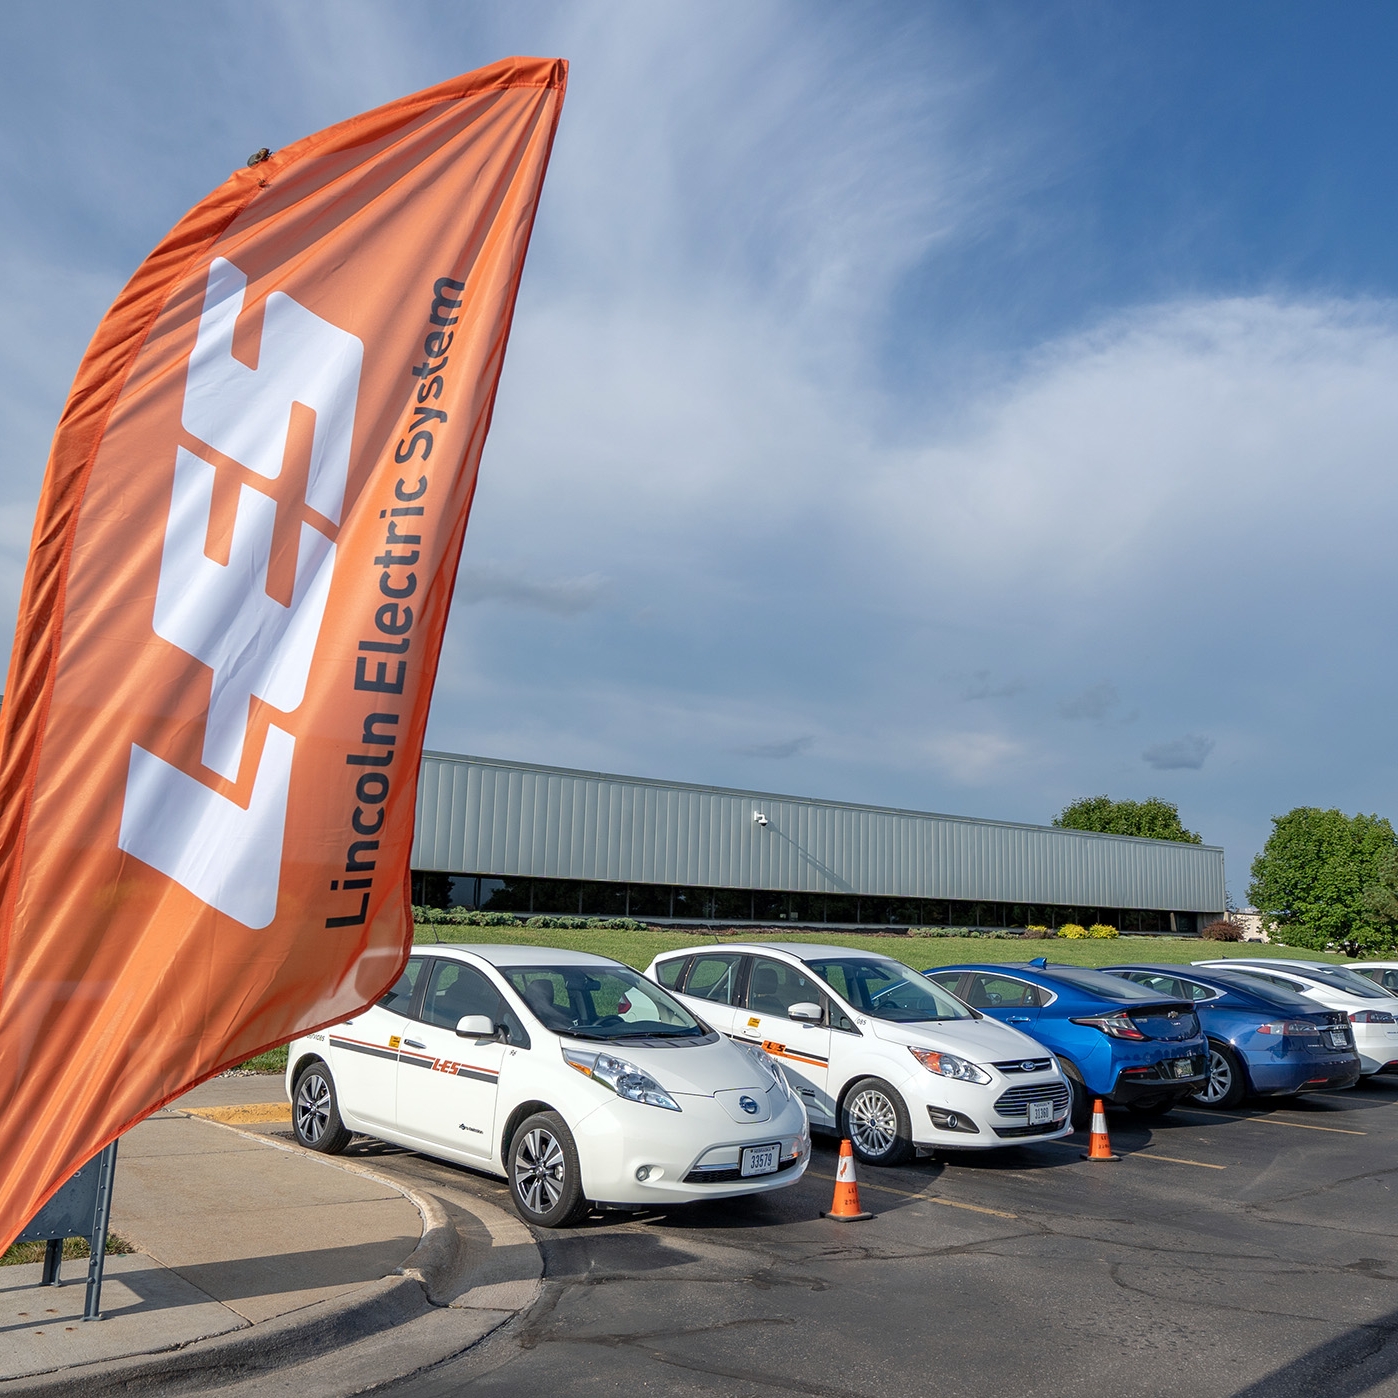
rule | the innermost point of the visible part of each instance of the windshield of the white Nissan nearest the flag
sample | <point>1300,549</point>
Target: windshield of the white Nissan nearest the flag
<point>602,1003</point>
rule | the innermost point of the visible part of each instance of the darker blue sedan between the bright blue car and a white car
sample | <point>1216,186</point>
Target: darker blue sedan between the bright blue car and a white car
<point>1263,1039</point>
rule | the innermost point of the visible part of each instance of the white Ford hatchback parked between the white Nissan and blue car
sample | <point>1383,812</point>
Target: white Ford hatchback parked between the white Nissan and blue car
<point>879,1052</point>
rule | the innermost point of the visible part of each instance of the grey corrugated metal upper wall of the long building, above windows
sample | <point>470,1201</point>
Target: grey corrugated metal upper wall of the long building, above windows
<point>480,816</point>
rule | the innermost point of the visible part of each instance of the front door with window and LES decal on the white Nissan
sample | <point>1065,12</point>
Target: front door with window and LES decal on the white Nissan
<point>448,1086</point>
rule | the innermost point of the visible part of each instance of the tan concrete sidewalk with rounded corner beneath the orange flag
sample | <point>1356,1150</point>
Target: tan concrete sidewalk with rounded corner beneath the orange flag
<point>241,1237</point>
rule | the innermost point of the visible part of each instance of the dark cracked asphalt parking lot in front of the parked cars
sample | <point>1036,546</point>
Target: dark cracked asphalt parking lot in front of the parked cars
<point>1248,1253</point>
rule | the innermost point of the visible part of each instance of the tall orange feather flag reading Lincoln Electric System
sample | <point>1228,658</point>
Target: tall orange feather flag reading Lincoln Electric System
<point>236,599</point>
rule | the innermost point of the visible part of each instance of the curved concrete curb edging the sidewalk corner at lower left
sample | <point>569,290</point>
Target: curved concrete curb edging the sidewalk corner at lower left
<point>431,1278</point>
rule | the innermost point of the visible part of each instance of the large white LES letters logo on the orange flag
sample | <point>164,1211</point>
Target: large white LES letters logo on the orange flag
<point>227,856</point>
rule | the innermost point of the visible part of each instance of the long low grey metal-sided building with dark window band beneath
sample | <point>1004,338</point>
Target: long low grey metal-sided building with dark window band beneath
<point>528,839</point>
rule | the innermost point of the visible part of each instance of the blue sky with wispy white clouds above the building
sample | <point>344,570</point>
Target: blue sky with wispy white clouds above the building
<point>961,408</point>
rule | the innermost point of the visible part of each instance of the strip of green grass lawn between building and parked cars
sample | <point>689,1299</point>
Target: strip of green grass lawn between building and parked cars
<point>638,949</point>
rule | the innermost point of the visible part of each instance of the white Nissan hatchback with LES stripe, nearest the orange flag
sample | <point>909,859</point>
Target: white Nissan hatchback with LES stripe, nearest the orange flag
<point>570,1074</point>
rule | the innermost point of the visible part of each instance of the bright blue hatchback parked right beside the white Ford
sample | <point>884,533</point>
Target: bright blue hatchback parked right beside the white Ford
<point>1116,1041</point>
